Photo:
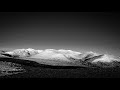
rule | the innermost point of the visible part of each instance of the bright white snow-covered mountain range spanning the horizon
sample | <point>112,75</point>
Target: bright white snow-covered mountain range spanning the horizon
<point>62,54</point>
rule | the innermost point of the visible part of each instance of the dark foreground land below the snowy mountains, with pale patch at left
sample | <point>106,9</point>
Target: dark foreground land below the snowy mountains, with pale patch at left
<point>30,69</point>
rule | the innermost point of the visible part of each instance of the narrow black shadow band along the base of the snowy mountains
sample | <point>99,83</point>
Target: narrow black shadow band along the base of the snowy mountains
<point>35,64</point>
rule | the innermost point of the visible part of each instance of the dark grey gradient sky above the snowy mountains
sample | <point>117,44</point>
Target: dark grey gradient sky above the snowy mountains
<point>79,31</point>
